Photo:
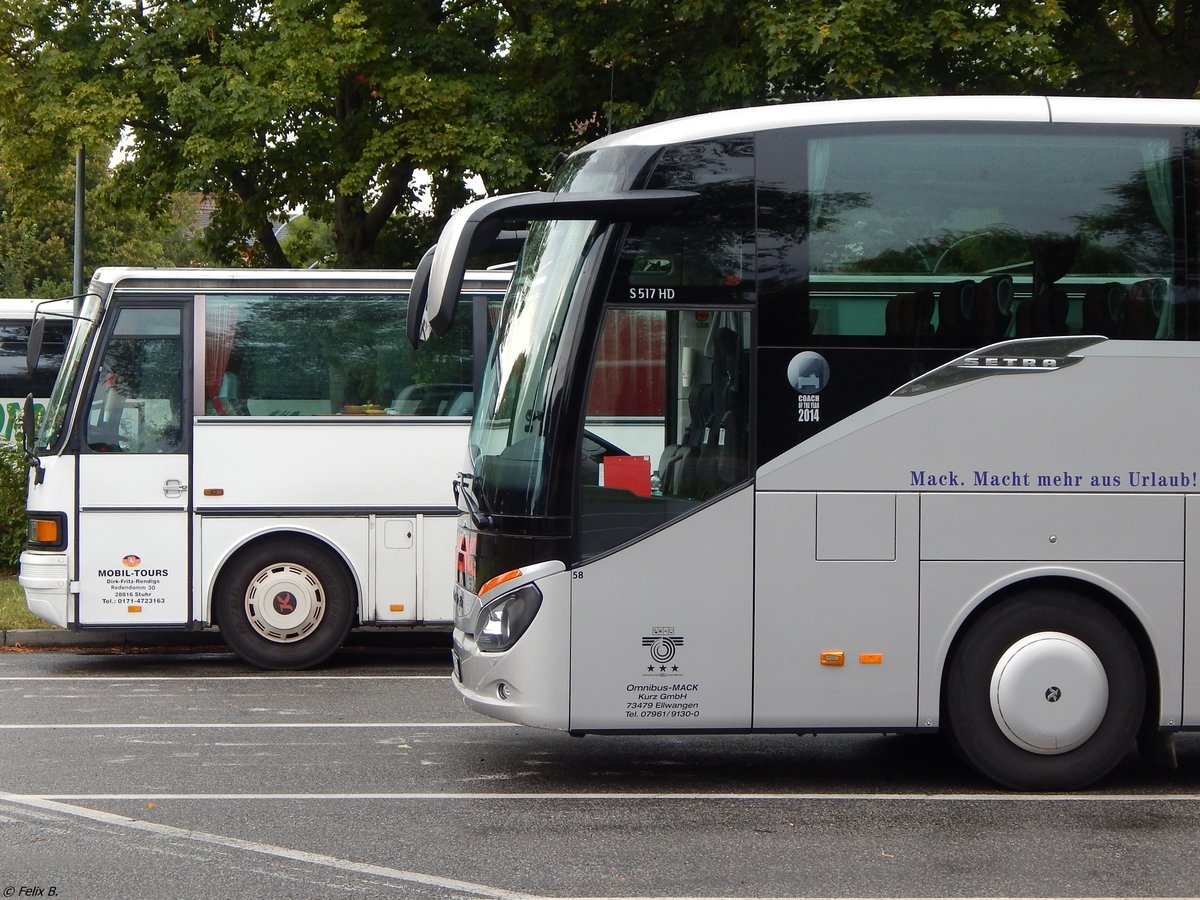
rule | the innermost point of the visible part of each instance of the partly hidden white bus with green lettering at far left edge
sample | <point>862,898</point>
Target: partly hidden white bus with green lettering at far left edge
<point>16,380</point>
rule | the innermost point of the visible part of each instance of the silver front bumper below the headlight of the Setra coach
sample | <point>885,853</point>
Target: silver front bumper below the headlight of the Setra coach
<point>527,685</point>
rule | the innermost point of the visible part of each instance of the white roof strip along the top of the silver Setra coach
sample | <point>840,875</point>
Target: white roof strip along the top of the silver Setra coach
<point>879,110</point>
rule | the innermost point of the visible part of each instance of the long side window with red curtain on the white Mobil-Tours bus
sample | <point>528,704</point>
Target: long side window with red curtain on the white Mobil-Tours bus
<point>309,355</point>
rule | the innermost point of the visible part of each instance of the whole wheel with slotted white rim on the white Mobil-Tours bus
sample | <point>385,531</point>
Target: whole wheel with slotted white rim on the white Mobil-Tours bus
<point>285,604</point>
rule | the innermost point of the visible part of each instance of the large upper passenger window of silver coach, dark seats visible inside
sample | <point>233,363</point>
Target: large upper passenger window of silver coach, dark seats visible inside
<point>956,238</point>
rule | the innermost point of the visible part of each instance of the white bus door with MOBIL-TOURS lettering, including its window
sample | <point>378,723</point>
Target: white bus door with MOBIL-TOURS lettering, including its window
<point>134,472</point>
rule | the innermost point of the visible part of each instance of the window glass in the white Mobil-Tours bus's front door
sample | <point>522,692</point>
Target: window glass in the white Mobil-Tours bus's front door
<point>139,398</point>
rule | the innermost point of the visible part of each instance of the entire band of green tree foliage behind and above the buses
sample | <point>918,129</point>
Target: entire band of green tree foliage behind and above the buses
<point>338,106</point>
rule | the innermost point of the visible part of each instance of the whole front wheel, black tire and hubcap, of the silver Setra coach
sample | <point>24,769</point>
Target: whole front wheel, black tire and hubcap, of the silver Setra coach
<point>1045,693</point>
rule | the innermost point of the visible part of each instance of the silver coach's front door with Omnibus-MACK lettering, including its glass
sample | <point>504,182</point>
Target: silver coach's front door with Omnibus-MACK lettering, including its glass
<point>662,617</point>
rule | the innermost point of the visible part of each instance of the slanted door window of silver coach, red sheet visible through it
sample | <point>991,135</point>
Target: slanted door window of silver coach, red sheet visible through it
<point>667,423</point>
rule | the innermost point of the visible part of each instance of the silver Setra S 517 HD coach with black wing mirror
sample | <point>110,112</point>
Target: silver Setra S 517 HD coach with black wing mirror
<point>919,375</point>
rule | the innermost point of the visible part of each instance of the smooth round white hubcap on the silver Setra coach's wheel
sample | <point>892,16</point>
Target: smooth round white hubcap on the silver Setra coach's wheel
<point>1049,693</point>
